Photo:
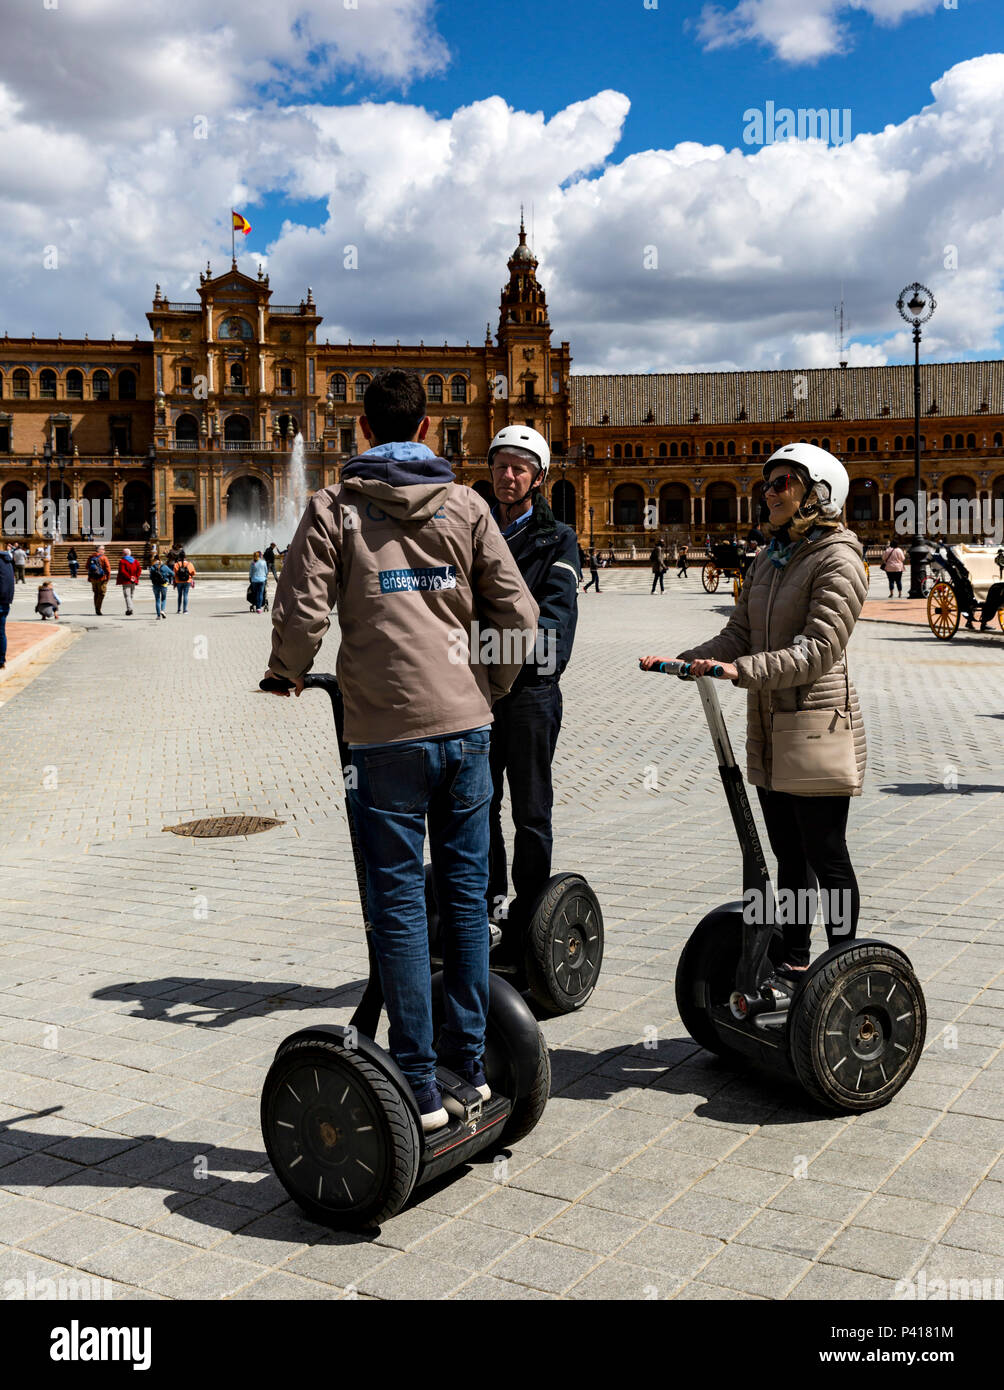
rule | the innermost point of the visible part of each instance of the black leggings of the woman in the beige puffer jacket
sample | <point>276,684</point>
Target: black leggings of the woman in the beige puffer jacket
<point>809,835</point>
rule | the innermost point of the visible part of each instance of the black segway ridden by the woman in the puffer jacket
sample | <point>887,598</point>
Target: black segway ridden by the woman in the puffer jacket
<point>850,1032</point>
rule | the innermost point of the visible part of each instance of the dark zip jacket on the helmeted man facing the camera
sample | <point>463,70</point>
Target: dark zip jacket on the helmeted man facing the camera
<point>547,554</point>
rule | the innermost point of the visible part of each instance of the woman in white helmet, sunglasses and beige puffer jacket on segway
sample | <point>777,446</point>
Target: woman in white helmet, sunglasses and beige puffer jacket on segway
<point>811,584</point>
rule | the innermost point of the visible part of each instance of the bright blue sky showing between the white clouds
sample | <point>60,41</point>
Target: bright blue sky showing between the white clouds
<point>544,56</point>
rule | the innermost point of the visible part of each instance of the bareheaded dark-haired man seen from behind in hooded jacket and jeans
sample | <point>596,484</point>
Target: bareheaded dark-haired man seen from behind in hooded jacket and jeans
<point>419,573</point>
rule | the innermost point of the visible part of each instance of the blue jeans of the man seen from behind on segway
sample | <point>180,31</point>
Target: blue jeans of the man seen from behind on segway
<point>398,787</point>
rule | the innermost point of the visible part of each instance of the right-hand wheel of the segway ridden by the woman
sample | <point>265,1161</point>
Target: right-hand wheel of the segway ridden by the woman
<point>857,1029</point>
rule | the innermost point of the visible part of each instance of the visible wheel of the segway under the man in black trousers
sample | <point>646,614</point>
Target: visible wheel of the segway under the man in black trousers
<point>565,945</point>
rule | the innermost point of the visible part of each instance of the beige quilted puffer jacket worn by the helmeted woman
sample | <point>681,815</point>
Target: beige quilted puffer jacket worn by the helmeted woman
<point>799,664</point>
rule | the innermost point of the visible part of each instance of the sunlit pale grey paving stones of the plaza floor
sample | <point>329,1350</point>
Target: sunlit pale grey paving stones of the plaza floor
<point>147,979</point>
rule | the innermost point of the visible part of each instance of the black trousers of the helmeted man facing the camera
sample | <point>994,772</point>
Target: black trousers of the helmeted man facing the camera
<point>524,737</point>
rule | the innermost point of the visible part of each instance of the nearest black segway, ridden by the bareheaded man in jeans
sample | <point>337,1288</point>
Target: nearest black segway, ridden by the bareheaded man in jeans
<point>340,1121</point>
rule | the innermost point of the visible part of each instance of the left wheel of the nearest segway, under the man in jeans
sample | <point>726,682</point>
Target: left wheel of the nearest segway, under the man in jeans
<point>340,1135</point>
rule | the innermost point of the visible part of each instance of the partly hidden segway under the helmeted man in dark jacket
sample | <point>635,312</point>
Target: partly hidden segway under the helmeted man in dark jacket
<point>557,957</point>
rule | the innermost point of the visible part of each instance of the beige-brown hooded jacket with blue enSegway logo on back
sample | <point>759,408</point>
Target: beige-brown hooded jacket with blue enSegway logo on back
<point>435,616</point>
